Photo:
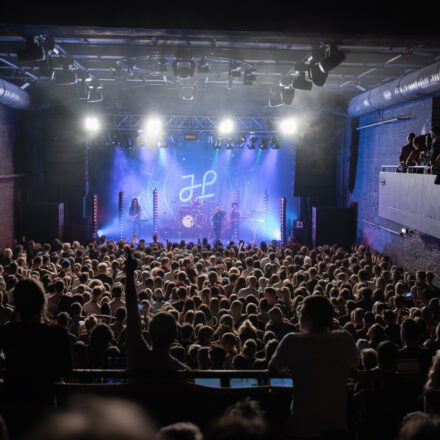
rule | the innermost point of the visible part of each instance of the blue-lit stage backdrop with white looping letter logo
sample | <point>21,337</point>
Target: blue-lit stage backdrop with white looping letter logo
<point>186,167</point>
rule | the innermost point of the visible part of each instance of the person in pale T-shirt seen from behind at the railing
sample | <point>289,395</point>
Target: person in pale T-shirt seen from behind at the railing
<point>320,361</point>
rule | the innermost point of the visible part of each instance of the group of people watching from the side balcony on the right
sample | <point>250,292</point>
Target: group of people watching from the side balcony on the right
<point>422,150</point>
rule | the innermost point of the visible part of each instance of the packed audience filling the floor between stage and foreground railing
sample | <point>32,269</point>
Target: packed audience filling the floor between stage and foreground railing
<point>229,307</point>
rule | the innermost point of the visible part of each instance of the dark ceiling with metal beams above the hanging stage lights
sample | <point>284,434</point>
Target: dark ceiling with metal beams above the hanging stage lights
<point>133,55</point>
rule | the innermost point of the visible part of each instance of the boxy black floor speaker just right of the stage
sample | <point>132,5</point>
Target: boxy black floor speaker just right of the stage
<point>333,225</point>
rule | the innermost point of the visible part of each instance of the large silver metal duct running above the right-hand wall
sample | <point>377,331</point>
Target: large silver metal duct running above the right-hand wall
<point>414,85</point>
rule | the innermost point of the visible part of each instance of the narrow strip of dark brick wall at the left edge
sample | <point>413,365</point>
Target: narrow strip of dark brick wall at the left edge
<point>7,139</point>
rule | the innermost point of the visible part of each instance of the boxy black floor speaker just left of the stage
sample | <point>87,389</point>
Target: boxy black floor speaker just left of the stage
<point>44,221</point>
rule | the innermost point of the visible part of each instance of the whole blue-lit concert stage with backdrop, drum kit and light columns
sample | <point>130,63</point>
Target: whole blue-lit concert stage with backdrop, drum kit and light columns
<point>253,174</point>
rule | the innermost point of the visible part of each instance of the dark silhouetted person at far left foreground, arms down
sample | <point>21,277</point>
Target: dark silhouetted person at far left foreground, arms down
<point>36,355</point>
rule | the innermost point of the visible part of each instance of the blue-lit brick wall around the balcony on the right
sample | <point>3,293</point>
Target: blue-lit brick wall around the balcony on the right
<point>378,146</point>
